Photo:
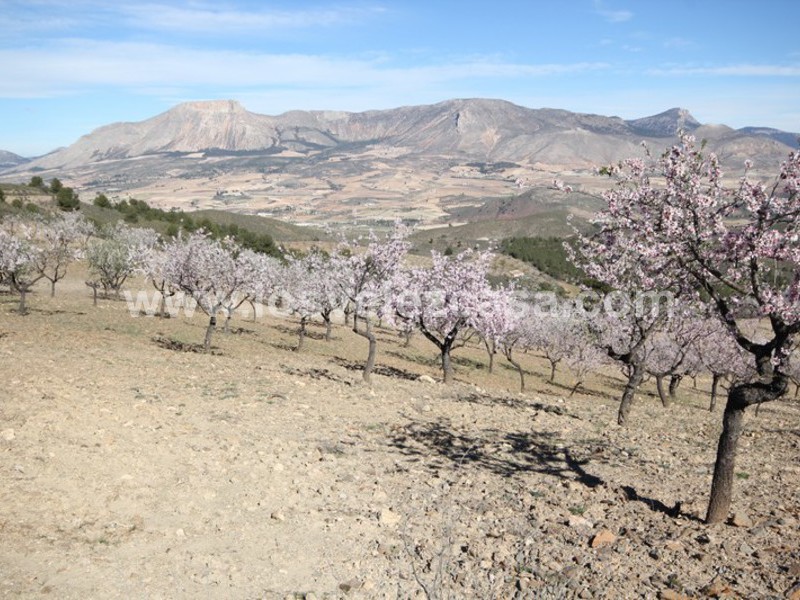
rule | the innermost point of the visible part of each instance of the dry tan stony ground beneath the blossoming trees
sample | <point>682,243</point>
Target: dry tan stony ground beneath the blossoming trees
<point>132,468</point>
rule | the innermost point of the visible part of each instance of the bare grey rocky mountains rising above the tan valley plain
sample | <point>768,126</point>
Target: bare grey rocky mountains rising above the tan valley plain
<point>479,129</point>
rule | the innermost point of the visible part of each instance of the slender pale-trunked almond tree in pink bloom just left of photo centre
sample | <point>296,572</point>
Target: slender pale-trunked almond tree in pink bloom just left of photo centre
<point>363,274</point>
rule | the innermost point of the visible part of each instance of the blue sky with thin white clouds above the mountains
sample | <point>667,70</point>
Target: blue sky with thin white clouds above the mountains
<point>70,66</point>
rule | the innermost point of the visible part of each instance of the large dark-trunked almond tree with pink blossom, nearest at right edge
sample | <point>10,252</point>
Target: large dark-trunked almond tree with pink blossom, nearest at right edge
<point>731,248</point>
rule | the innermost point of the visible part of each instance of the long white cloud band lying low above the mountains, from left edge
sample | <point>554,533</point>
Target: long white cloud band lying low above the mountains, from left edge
<point>79,64</point>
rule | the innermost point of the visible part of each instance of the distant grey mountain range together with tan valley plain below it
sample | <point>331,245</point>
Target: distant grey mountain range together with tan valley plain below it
<point>216,154</point>
